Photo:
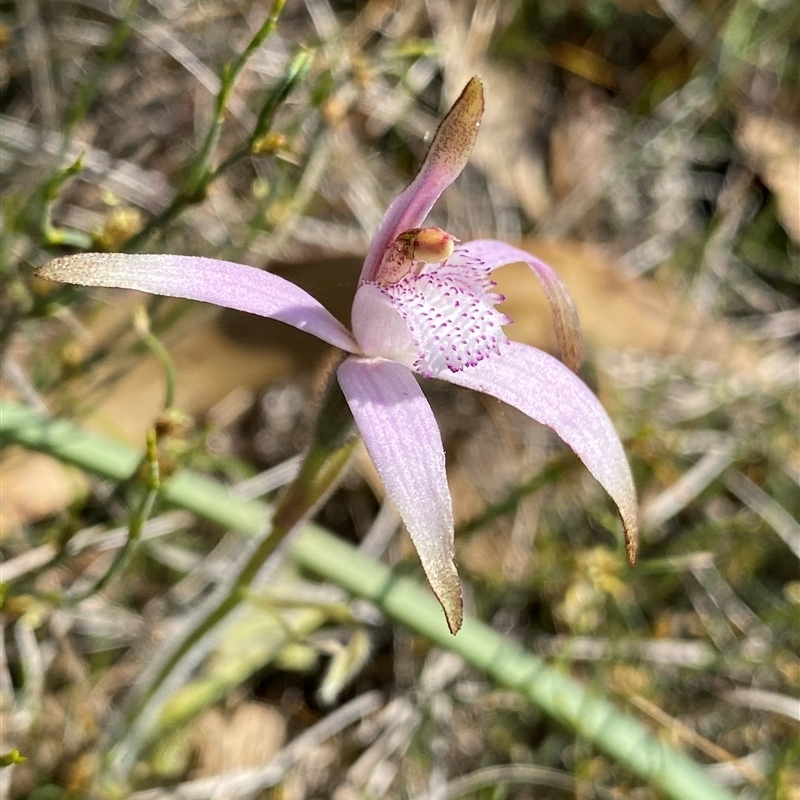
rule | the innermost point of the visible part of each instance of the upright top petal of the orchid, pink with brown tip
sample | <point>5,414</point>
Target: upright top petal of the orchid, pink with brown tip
<point>448,155</point>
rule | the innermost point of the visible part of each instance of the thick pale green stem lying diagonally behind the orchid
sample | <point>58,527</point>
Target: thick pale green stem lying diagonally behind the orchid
<point>590,715</point>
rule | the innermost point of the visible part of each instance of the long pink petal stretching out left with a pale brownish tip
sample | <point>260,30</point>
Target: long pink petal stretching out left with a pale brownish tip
<point>222,283</point>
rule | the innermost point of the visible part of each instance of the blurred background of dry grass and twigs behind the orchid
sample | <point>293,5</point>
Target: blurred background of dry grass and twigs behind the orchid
<point>647,149</point>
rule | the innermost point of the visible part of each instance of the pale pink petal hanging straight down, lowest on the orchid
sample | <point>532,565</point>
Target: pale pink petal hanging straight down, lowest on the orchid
<point>402,438</point>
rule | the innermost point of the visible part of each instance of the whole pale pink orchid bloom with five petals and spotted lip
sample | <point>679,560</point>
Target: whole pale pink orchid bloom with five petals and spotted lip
<point>425,307</point>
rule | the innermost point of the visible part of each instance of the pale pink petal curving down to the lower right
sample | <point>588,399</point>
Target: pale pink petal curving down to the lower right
<point>544,389</point>
